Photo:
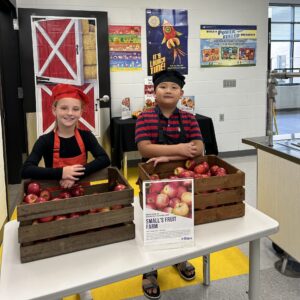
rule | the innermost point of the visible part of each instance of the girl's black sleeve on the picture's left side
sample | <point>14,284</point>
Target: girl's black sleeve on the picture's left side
<point>30,167</point>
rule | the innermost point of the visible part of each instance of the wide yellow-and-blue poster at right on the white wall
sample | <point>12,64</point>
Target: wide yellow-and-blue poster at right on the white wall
<point>227,45</point>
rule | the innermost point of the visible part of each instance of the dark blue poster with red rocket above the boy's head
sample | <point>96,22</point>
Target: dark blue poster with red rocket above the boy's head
<point>167,40</point>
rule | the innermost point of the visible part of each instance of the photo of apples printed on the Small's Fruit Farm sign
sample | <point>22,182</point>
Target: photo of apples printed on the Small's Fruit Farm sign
<point>172,197</point>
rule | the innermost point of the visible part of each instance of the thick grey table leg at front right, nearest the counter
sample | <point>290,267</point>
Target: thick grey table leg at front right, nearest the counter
<point>254,269</point>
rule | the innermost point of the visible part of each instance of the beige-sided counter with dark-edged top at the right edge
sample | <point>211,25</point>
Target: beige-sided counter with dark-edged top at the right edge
<point>278,188</point>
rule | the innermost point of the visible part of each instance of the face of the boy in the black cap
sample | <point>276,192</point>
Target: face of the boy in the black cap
<point>167,94</point>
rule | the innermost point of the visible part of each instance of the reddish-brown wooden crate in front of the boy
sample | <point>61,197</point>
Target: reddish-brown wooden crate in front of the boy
<point>210,205</point>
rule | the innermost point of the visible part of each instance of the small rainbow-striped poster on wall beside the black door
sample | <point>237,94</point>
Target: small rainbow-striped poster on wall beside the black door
<point>125,48</point>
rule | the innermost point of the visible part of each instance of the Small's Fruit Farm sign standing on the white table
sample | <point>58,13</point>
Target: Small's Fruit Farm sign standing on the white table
<point>168,213</point>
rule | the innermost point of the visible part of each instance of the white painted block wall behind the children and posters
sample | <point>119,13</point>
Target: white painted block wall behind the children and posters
<point>244,107</point>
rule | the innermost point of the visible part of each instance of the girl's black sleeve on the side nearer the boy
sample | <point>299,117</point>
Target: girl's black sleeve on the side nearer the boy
<point>101,159</point>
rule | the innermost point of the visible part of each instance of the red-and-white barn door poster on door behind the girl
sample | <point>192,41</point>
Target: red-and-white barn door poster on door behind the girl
<point>65,51</point>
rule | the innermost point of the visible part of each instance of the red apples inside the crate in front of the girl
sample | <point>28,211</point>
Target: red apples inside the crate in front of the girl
<point>35,194</point>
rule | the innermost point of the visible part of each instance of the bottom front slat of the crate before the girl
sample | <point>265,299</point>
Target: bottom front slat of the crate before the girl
<point>77,242</point>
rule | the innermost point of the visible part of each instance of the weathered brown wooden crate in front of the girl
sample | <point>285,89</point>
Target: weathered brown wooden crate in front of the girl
<point>42,240</point>
